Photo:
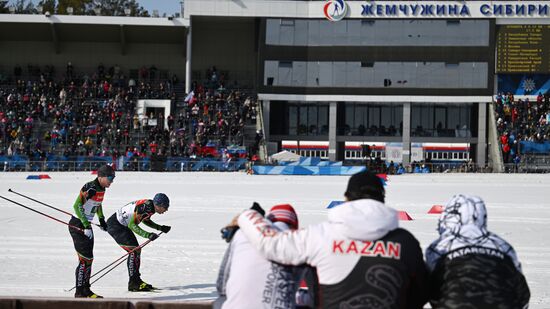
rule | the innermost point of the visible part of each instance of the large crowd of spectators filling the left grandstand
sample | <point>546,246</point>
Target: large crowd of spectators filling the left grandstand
<point>95,115</point>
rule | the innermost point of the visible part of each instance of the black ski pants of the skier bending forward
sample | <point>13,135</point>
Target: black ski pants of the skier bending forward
<point>127,241</point>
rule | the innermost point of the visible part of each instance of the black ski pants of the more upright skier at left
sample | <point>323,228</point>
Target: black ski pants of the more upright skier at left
<point>84,247</point>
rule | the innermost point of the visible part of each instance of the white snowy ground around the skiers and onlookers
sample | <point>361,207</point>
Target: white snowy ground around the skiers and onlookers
<point>37,256</point>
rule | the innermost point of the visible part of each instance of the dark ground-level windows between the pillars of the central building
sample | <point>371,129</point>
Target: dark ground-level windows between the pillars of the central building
<point>360,119</point>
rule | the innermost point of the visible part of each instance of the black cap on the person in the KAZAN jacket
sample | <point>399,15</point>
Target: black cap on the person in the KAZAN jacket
<point>365,185</point>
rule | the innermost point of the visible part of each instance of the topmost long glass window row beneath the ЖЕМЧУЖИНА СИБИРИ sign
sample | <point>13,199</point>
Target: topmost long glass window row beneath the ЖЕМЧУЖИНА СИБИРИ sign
<point>303,32</point>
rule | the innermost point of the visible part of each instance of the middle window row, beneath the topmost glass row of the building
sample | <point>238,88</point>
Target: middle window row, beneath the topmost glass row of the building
<point>354,74</point>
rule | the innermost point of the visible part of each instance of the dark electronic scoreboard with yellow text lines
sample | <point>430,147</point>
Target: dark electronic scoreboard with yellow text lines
<point>523,49</point>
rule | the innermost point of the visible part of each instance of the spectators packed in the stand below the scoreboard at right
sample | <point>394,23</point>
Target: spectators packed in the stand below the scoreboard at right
<point>521,120</point>
